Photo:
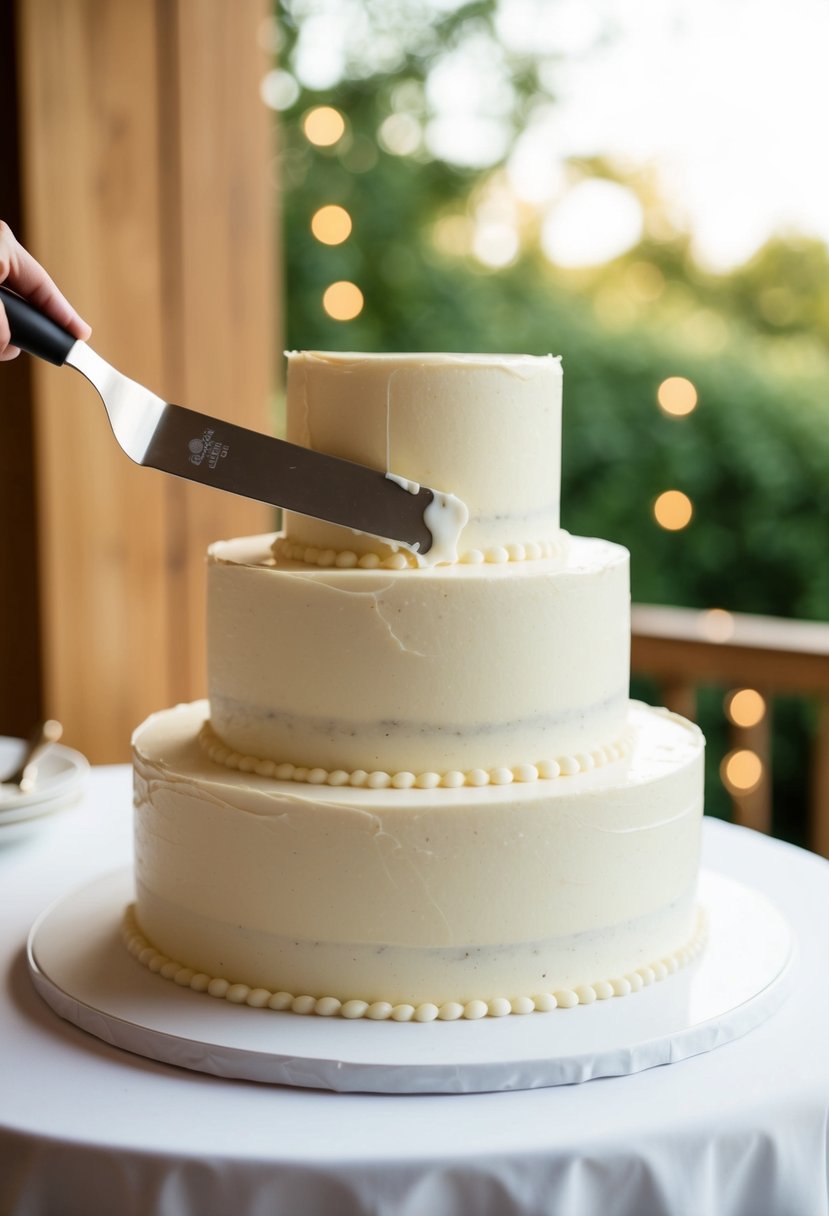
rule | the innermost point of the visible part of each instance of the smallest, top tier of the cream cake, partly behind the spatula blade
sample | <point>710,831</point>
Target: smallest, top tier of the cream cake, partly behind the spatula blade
<point>483,427</point>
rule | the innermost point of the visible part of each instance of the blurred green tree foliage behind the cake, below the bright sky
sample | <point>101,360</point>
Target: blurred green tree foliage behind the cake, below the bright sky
<point>753,457</point>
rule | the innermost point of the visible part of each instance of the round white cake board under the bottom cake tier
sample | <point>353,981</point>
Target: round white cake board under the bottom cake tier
<point>83,971</point>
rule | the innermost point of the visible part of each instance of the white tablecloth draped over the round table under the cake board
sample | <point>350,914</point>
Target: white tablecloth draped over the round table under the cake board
<point>87,1129</point>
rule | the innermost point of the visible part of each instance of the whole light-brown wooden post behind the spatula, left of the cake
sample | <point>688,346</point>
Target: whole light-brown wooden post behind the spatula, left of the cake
<point>146,156</point>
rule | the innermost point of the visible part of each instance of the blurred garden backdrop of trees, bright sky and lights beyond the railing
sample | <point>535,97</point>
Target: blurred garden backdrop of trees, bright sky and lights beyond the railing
<point>640,189</point>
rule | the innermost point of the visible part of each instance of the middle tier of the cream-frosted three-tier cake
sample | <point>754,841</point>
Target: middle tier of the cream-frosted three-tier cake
<point>445,674</point>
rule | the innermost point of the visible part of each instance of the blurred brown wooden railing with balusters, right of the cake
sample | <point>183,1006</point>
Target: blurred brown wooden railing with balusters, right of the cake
<point>683,649</point>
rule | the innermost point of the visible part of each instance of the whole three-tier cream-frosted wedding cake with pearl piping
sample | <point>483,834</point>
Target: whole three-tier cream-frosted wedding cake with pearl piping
<point>420,792</point>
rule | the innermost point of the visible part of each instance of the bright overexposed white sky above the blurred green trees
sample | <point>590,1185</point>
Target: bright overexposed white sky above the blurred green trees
<point>680,148</point>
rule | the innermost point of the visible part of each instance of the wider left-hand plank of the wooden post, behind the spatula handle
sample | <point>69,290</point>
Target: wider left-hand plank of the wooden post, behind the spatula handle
<point>91,137</point>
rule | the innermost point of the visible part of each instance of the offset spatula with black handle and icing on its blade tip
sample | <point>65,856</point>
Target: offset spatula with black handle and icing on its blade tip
<point>202,449</point>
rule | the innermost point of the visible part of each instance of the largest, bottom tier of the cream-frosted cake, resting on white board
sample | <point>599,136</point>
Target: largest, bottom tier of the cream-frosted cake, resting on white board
<point>416,903</point>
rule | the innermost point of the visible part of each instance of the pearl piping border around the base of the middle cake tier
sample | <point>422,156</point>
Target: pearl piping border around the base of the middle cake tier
<point>544,770</point>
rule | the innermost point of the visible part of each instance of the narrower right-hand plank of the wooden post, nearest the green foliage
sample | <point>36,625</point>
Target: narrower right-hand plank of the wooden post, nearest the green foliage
<point>227,337</point>
